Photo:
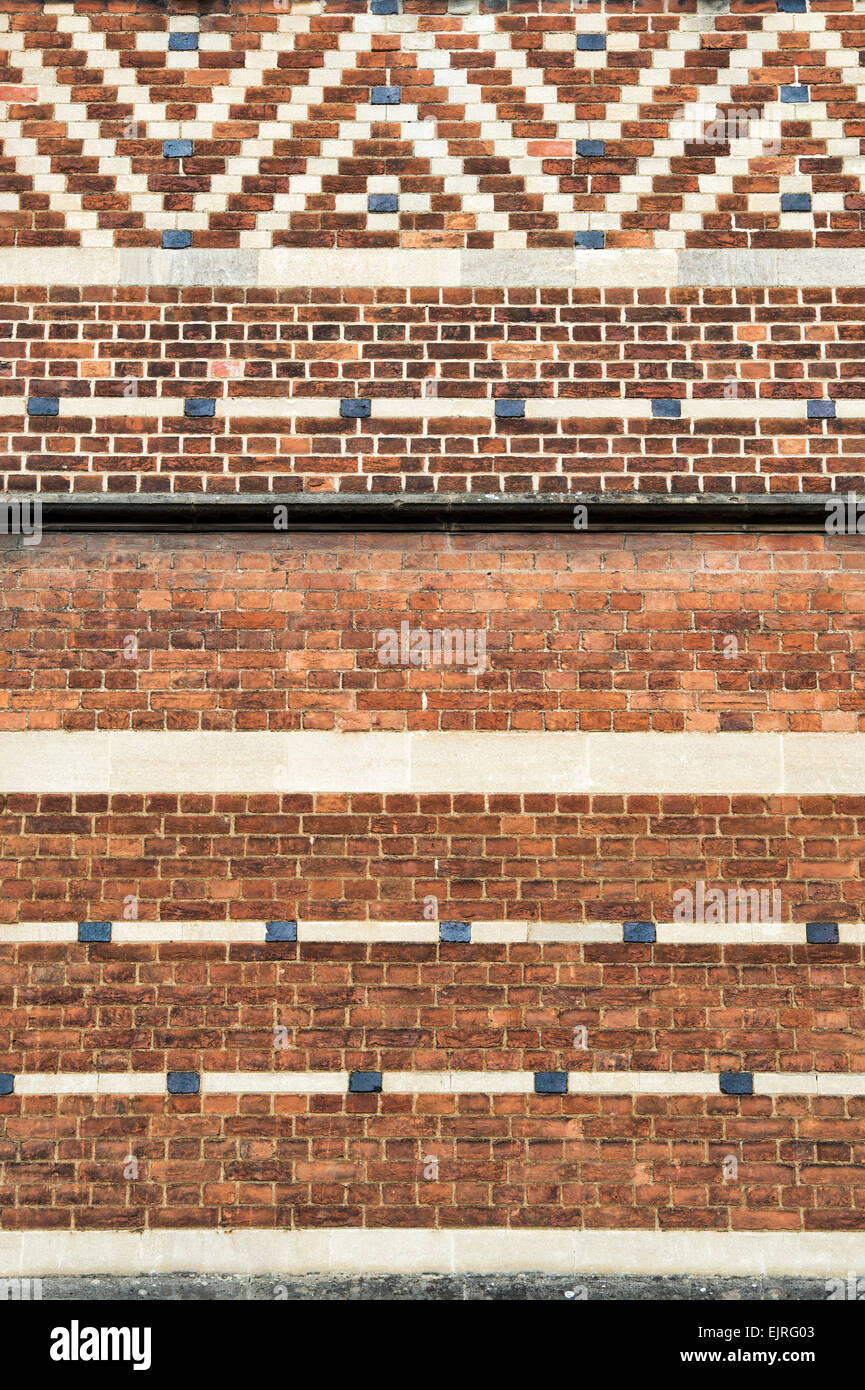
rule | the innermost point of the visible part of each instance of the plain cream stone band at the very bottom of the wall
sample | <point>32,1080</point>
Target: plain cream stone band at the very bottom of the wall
<point>369,1252</point>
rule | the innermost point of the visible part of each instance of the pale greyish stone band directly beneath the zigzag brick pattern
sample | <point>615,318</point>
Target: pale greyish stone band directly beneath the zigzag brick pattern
<point>430,268</point>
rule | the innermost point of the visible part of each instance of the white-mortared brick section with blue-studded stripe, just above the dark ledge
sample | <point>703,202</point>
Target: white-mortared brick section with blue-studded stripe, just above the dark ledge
<point>741,368</point>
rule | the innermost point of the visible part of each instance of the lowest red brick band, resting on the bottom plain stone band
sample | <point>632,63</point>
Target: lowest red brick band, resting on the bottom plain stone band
<point>590,1163</point>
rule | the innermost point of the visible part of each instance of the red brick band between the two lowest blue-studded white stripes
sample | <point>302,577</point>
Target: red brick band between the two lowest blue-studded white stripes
<point>432,1008</point>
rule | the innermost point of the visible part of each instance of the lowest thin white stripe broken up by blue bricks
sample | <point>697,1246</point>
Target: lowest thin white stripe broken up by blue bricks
<point>435,1084</point>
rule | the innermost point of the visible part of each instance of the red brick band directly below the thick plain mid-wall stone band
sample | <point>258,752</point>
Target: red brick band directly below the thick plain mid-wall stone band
<point>366,856</point>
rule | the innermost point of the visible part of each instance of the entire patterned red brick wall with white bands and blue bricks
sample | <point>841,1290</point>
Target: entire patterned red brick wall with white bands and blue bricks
<point>270,252</point>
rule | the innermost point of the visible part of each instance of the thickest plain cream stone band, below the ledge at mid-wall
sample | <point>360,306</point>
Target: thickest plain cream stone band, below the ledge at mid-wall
<point>450,762</point>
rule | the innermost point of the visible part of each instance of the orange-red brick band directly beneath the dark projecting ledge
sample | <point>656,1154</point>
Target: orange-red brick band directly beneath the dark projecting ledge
<point>614,633</point>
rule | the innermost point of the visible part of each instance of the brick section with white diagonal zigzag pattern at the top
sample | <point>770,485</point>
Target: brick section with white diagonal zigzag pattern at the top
<point>300,116</point>
